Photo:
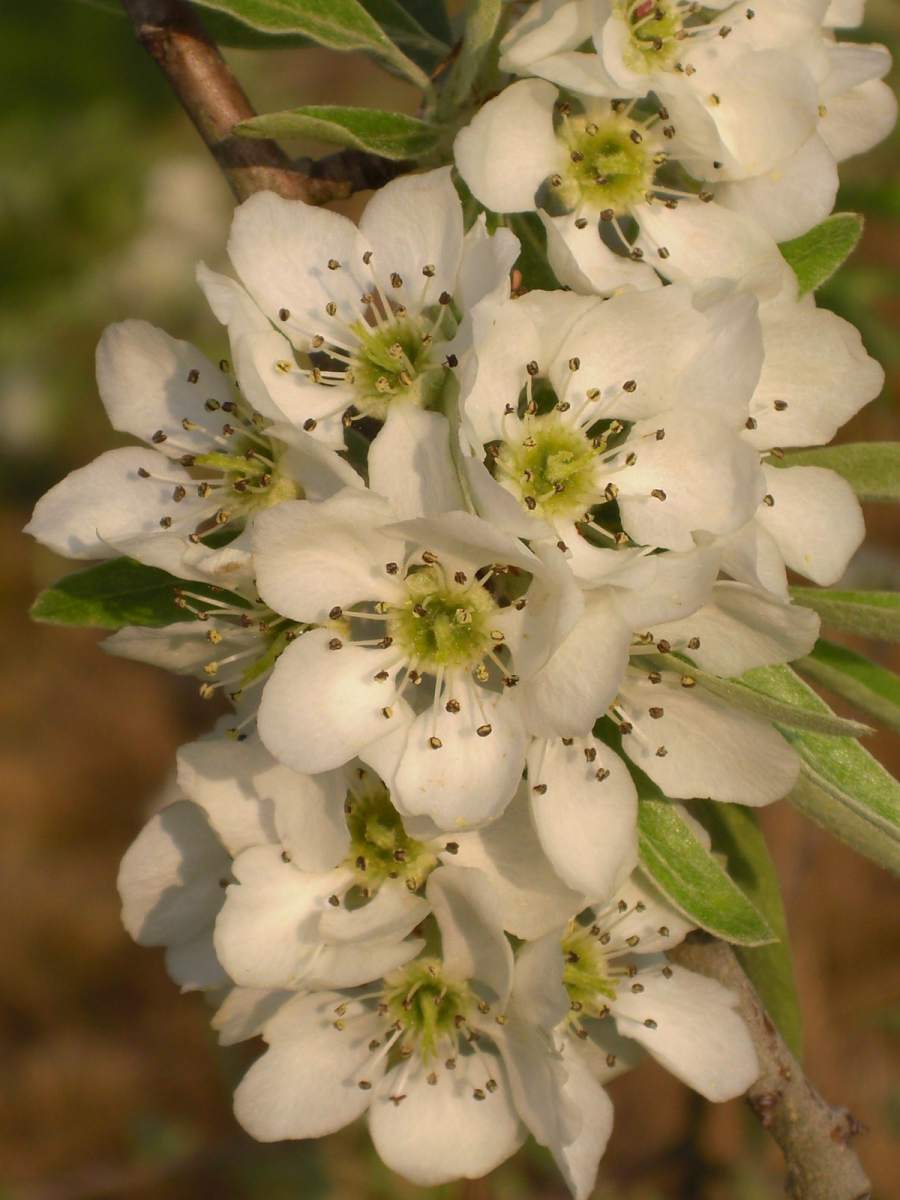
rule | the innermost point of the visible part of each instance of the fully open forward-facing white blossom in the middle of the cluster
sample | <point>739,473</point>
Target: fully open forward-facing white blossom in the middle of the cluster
<point>443,644</point>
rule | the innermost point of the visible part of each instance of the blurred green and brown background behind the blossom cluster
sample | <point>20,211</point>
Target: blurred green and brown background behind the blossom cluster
<point>112,1084</point>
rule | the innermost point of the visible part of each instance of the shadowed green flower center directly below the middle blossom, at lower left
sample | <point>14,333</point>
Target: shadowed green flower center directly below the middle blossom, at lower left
<point>381,848</point>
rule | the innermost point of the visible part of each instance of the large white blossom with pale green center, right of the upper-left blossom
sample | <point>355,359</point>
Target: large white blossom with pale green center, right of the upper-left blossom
<point>595,425</point>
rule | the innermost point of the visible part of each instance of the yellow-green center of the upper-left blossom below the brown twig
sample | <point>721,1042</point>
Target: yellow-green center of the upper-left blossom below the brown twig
<point>395,361</point>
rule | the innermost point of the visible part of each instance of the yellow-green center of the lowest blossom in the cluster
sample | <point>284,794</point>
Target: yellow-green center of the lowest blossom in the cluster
<point>427,1005</point>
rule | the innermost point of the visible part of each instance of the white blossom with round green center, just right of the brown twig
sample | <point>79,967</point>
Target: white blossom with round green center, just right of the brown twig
<point>602,181</point>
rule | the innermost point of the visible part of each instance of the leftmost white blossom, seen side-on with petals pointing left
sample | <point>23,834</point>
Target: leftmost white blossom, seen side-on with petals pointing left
<point>212,465</point>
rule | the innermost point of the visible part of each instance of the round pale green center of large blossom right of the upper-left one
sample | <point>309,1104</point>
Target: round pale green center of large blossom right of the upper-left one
<point>550,469</point>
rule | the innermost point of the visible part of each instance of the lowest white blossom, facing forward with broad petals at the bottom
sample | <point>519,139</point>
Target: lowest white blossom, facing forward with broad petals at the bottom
<point>430,1054</point>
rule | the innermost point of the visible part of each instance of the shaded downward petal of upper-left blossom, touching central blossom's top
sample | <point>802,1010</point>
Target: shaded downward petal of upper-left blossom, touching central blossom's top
<point>410,464</point>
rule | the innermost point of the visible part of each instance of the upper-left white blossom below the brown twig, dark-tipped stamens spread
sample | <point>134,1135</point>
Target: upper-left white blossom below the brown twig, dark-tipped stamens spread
<point>364,321</point>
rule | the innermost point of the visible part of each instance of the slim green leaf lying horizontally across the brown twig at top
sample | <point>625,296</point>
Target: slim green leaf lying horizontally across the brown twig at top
<point>389,135</point>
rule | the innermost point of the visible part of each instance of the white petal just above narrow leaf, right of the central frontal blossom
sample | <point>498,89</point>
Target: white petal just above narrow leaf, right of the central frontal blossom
<point>742,629</point>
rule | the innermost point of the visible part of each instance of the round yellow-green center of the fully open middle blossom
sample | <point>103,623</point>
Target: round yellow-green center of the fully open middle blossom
<point>445,622</point>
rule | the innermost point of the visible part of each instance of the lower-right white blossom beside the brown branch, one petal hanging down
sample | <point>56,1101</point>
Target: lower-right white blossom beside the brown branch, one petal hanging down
<point>605,991</point>
